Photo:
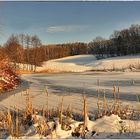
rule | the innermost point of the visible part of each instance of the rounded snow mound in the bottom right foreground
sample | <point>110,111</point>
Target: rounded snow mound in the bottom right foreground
<point>113,127</point>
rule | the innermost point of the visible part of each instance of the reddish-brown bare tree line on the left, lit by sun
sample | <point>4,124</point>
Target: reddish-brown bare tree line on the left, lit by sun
<point>27,49</point>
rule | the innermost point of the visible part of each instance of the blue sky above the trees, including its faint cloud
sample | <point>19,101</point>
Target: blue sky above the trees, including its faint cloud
<point>59,22</point>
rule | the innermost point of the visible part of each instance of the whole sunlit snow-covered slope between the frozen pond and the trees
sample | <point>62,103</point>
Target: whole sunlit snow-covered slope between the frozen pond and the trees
<point>80,63</point>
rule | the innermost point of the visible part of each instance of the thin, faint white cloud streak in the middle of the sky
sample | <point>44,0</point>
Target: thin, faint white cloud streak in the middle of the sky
<point>66,28</point>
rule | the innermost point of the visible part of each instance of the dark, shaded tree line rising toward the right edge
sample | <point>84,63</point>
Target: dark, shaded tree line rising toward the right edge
<point>123,42</point>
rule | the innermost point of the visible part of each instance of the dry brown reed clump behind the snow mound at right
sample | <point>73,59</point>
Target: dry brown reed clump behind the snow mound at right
<point>116,108</point>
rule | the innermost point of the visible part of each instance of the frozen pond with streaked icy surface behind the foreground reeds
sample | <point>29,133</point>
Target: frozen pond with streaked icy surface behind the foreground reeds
<point>71,86</point>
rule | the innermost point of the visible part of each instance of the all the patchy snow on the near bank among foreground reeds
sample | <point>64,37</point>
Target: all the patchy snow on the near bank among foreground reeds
<point>105,127</point>
